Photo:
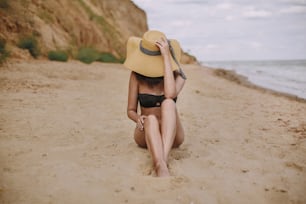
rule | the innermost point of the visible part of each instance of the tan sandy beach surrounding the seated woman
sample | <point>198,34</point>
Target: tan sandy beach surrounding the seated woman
<point>65,138</point>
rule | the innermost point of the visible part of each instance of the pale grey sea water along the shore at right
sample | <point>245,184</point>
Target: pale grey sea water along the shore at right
<point>287,76</point>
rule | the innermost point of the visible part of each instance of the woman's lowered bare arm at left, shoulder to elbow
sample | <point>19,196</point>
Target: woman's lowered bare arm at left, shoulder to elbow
<point>132,98</point>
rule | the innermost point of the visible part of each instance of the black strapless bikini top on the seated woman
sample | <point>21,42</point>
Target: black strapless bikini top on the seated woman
<point>150,100</point>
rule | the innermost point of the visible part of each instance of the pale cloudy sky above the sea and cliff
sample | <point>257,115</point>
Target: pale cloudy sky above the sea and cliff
<point>214,30</point>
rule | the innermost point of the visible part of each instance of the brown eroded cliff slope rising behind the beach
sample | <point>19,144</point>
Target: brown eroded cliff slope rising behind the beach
<point>71,24</point>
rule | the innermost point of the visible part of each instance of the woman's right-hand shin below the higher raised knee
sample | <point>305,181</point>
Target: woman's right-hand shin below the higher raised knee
<point>168,125</point>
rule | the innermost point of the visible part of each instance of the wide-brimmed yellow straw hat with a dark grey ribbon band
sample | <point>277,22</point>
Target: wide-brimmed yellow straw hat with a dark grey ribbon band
<point>144,57</point>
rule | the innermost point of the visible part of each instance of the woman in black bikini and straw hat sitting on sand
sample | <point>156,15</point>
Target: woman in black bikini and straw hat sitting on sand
<point>155,81</point>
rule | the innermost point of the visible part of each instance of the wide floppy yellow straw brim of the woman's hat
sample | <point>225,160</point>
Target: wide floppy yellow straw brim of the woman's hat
<point>147,65</point>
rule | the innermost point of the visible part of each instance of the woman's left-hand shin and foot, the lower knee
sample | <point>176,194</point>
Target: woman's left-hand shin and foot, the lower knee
<point>154,143</point>
